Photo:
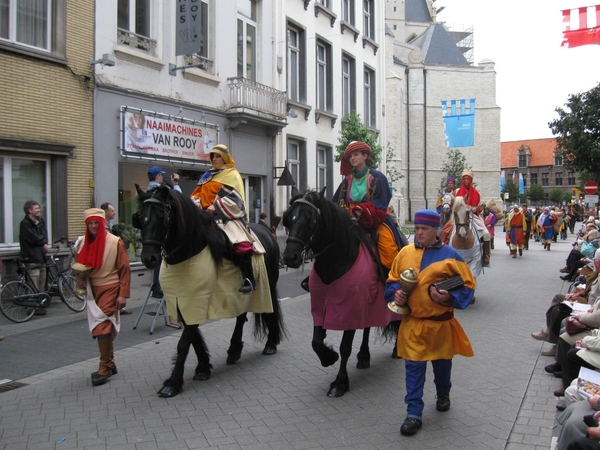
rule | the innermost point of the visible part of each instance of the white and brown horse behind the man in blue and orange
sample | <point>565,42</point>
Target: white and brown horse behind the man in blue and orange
<point>465,238</point>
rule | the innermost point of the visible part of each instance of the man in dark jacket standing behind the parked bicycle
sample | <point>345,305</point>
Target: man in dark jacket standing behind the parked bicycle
<point>33,239</point>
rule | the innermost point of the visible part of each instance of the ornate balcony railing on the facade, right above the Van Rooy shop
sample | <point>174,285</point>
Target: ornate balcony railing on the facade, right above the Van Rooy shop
<point>244,93</point>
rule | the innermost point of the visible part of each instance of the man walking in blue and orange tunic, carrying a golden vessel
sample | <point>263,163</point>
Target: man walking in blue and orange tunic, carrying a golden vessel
<point>430,332</point>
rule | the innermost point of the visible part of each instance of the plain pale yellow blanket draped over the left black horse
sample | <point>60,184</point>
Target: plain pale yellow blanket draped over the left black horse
<point>197,290</point>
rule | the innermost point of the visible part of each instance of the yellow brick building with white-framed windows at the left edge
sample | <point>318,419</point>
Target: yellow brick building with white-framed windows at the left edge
<point>46,128</point>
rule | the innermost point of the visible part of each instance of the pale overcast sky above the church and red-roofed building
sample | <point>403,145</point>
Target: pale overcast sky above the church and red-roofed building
<point>535,75</point>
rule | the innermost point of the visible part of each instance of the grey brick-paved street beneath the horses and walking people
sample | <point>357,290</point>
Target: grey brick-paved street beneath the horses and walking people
<point>501,398</point>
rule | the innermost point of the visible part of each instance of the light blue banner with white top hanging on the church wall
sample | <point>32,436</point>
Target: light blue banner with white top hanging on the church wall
<point>459,126</point>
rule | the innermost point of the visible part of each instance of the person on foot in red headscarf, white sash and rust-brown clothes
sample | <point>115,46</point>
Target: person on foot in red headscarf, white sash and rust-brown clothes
<point>107,287</point>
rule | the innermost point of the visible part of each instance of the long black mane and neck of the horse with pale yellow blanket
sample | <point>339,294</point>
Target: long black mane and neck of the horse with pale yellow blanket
<point>190,228</point>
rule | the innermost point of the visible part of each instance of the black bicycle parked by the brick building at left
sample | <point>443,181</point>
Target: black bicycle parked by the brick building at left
<point>20,298</point>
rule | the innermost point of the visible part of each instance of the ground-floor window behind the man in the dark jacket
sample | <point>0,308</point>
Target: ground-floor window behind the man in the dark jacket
<point>21,179</point>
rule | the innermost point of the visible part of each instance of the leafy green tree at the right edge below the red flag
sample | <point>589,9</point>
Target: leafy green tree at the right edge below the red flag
<point>577,132</point>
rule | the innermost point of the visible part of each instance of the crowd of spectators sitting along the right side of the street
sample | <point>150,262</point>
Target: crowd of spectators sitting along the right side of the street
<point>572,325</point>
